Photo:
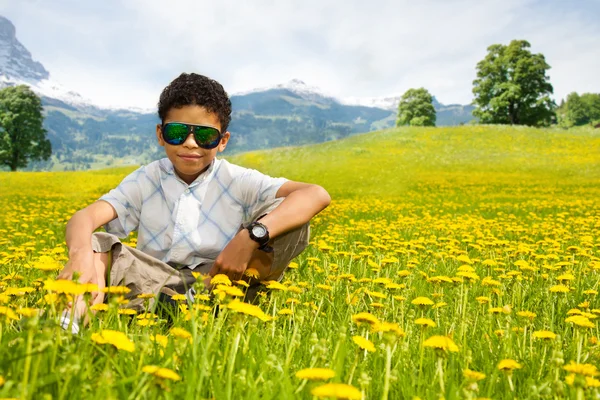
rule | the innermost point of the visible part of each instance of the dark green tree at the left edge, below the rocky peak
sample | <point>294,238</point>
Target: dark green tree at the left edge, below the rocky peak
<point>22,136</point>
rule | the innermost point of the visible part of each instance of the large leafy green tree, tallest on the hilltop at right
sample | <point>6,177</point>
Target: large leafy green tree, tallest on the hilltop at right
<point>512,87</point>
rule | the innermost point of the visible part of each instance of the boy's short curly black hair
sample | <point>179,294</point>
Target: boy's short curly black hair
<point>195,89</point>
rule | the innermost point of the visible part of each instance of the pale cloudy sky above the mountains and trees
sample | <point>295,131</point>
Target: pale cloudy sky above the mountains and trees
<point>123,52</point>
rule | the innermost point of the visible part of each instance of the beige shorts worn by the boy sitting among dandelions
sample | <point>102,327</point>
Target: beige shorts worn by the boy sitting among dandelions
<point>142,273</point>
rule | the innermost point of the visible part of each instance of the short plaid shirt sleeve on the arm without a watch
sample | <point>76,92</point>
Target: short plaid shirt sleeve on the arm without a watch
<point>126,199</point>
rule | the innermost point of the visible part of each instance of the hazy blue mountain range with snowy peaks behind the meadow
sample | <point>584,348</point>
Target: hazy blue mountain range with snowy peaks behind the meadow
<point>85,136</point>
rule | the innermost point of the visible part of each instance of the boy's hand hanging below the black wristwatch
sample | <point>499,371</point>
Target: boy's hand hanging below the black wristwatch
<point>234,258</point>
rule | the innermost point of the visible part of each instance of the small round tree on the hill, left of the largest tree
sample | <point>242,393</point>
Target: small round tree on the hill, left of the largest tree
<point>416,108</point>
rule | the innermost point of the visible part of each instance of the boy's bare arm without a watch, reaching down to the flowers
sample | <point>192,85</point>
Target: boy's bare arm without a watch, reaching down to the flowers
<point>78,236</point>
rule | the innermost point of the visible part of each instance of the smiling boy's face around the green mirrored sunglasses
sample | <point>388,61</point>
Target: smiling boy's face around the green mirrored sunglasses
<point>188,158</point>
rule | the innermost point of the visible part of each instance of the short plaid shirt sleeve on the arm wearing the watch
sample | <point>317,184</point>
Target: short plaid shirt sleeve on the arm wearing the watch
<point>257,189</point>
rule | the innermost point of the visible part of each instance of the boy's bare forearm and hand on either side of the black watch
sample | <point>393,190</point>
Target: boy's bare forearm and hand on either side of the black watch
<point>302,202</point>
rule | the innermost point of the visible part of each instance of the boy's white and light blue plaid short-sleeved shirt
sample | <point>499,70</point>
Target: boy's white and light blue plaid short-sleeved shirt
<point>187,224</point>
